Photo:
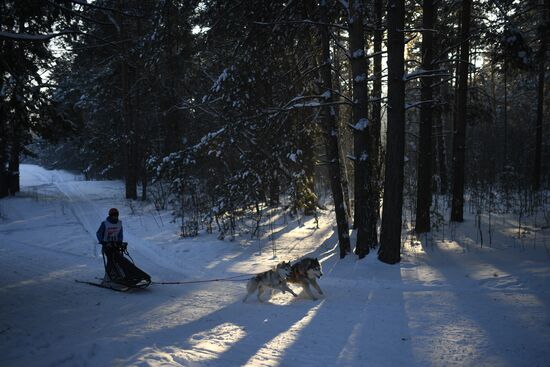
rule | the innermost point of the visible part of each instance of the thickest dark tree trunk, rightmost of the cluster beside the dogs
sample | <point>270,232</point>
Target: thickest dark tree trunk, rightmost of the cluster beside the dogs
<point>390,236</point>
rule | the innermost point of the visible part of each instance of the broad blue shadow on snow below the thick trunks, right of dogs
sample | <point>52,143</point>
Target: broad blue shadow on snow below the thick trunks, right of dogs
<point>355,324</point>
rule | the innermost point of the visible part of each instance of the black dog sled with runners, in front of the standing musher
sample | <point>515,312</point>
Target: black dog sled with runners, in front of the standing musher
<point>121,273</point>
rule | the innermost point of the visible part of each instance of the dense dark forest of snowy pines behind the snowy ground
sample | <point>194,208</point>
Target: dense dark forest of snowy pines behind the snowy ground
<point>407,113</point>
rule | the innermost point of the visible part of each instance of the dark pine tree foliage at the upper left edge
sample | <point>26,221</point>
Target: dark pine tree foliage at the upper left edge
<point>26,31</point>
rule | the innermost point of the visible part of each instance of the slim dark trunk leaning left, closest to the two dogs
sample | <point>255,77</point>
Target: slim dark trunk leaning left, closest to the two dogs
<point>329,120</point>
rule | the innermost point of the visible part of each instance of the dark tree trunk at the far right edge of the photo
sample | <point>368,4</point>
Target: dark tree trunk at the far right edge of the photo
<point>540,97</point>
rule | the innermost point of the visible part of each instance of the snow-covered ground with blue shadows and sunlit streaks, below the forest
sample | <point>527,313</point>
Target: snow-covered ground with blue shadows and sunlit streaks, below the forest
<point>450,302</point>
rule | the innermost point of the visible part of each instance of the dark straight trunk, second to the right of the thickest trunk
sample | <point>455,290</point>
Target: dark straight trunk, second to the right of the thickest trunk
<point>459,141</point>
